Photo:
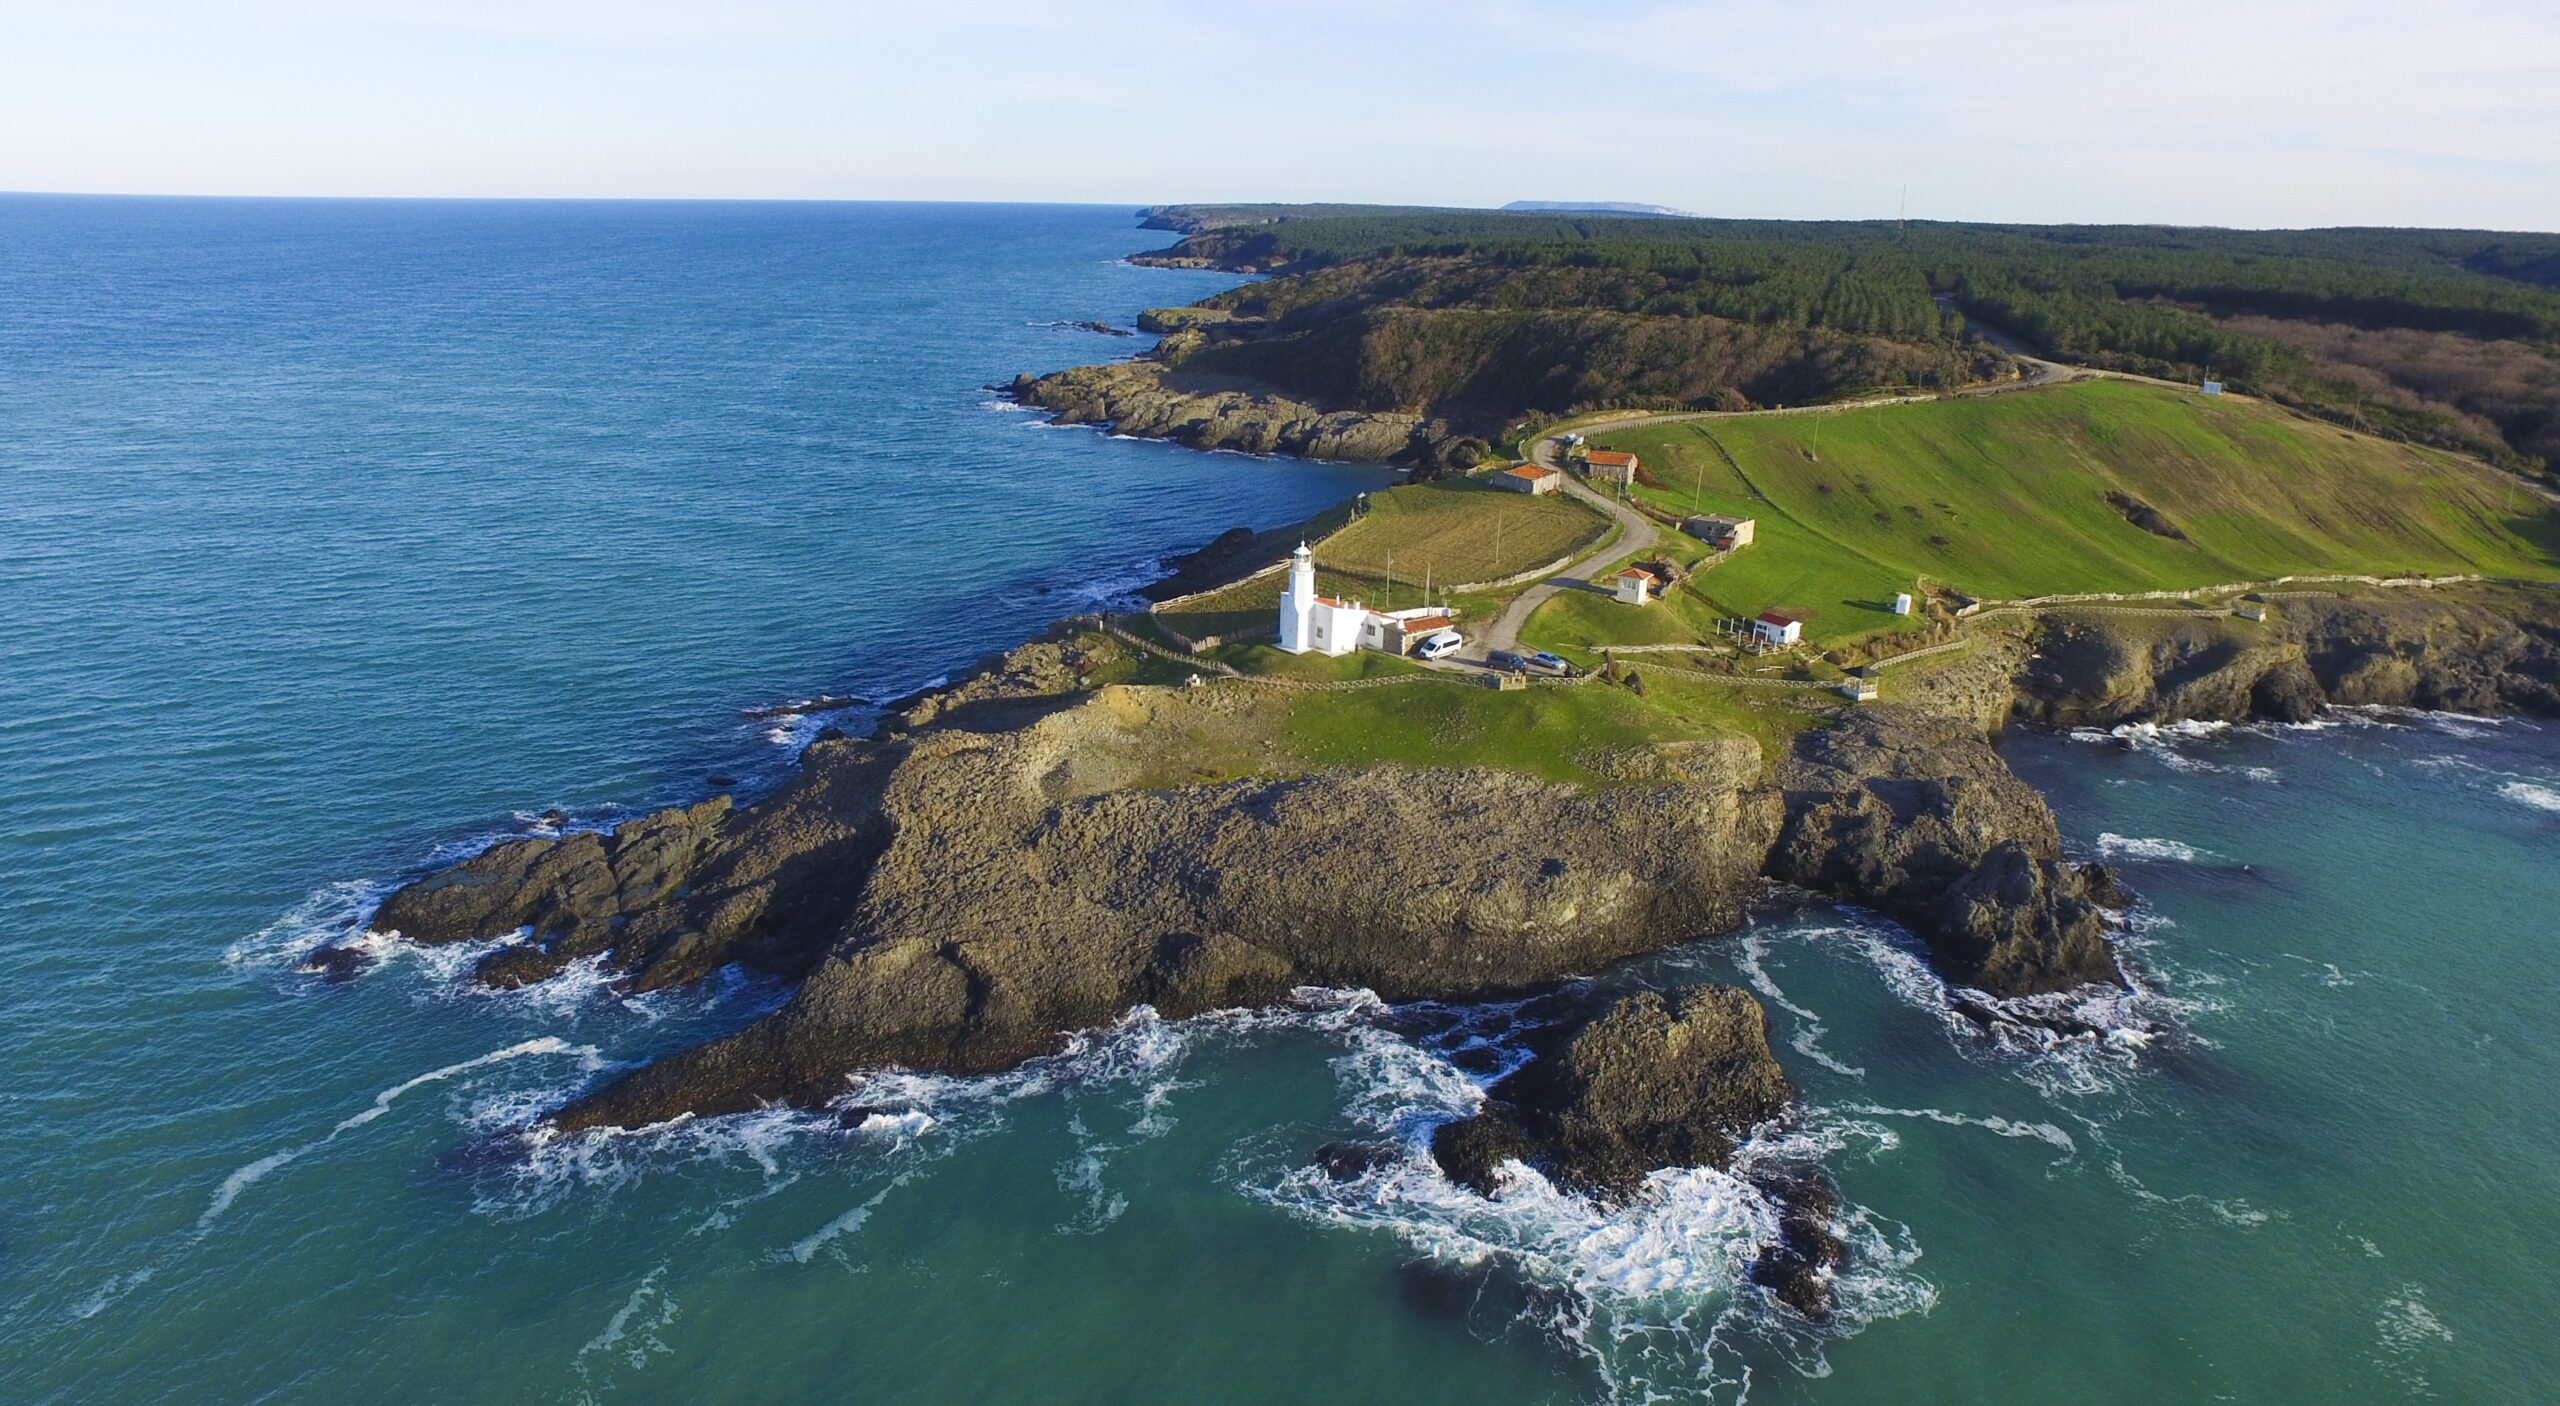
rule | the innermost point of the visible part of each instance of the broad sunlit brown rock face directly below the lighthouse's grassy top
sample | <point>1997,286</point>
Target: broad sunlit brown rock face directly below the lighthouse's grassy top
<point>1002,916</point>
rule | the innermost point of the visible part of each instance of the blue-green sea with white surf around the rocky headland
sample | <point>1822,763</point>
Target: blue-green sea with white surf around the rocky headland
<point>342,539</point>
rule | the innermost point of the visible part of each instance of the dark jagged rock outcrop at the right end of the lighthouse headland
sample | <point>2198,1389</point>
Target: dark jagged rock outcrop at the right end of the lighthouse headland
<point>1919,818</point>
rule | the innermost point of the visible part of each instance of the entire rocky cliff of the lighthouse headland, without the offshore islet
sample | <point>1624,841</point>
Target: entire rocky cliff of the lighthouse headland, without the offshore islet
<point>1018,857</point>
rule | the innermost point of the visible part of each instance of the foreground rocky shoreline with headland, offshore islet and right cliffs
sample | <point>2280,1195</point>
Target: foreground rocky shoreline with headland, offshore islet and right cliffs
<point>1020,857</point>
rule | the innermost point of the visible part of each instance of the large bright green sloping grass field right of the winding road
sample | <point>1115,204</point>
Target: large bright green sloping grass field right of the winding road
<point>2008,498</point>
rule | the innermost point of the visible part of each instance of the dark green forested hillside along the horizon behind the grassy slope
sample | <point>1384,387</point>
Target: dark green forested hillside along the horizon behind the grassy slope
<point>2436,337</point>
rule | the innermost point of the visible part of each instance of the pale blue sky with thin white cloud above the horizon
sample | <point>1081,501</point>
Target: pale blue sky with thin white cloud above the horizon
<point>2241,114</point>
